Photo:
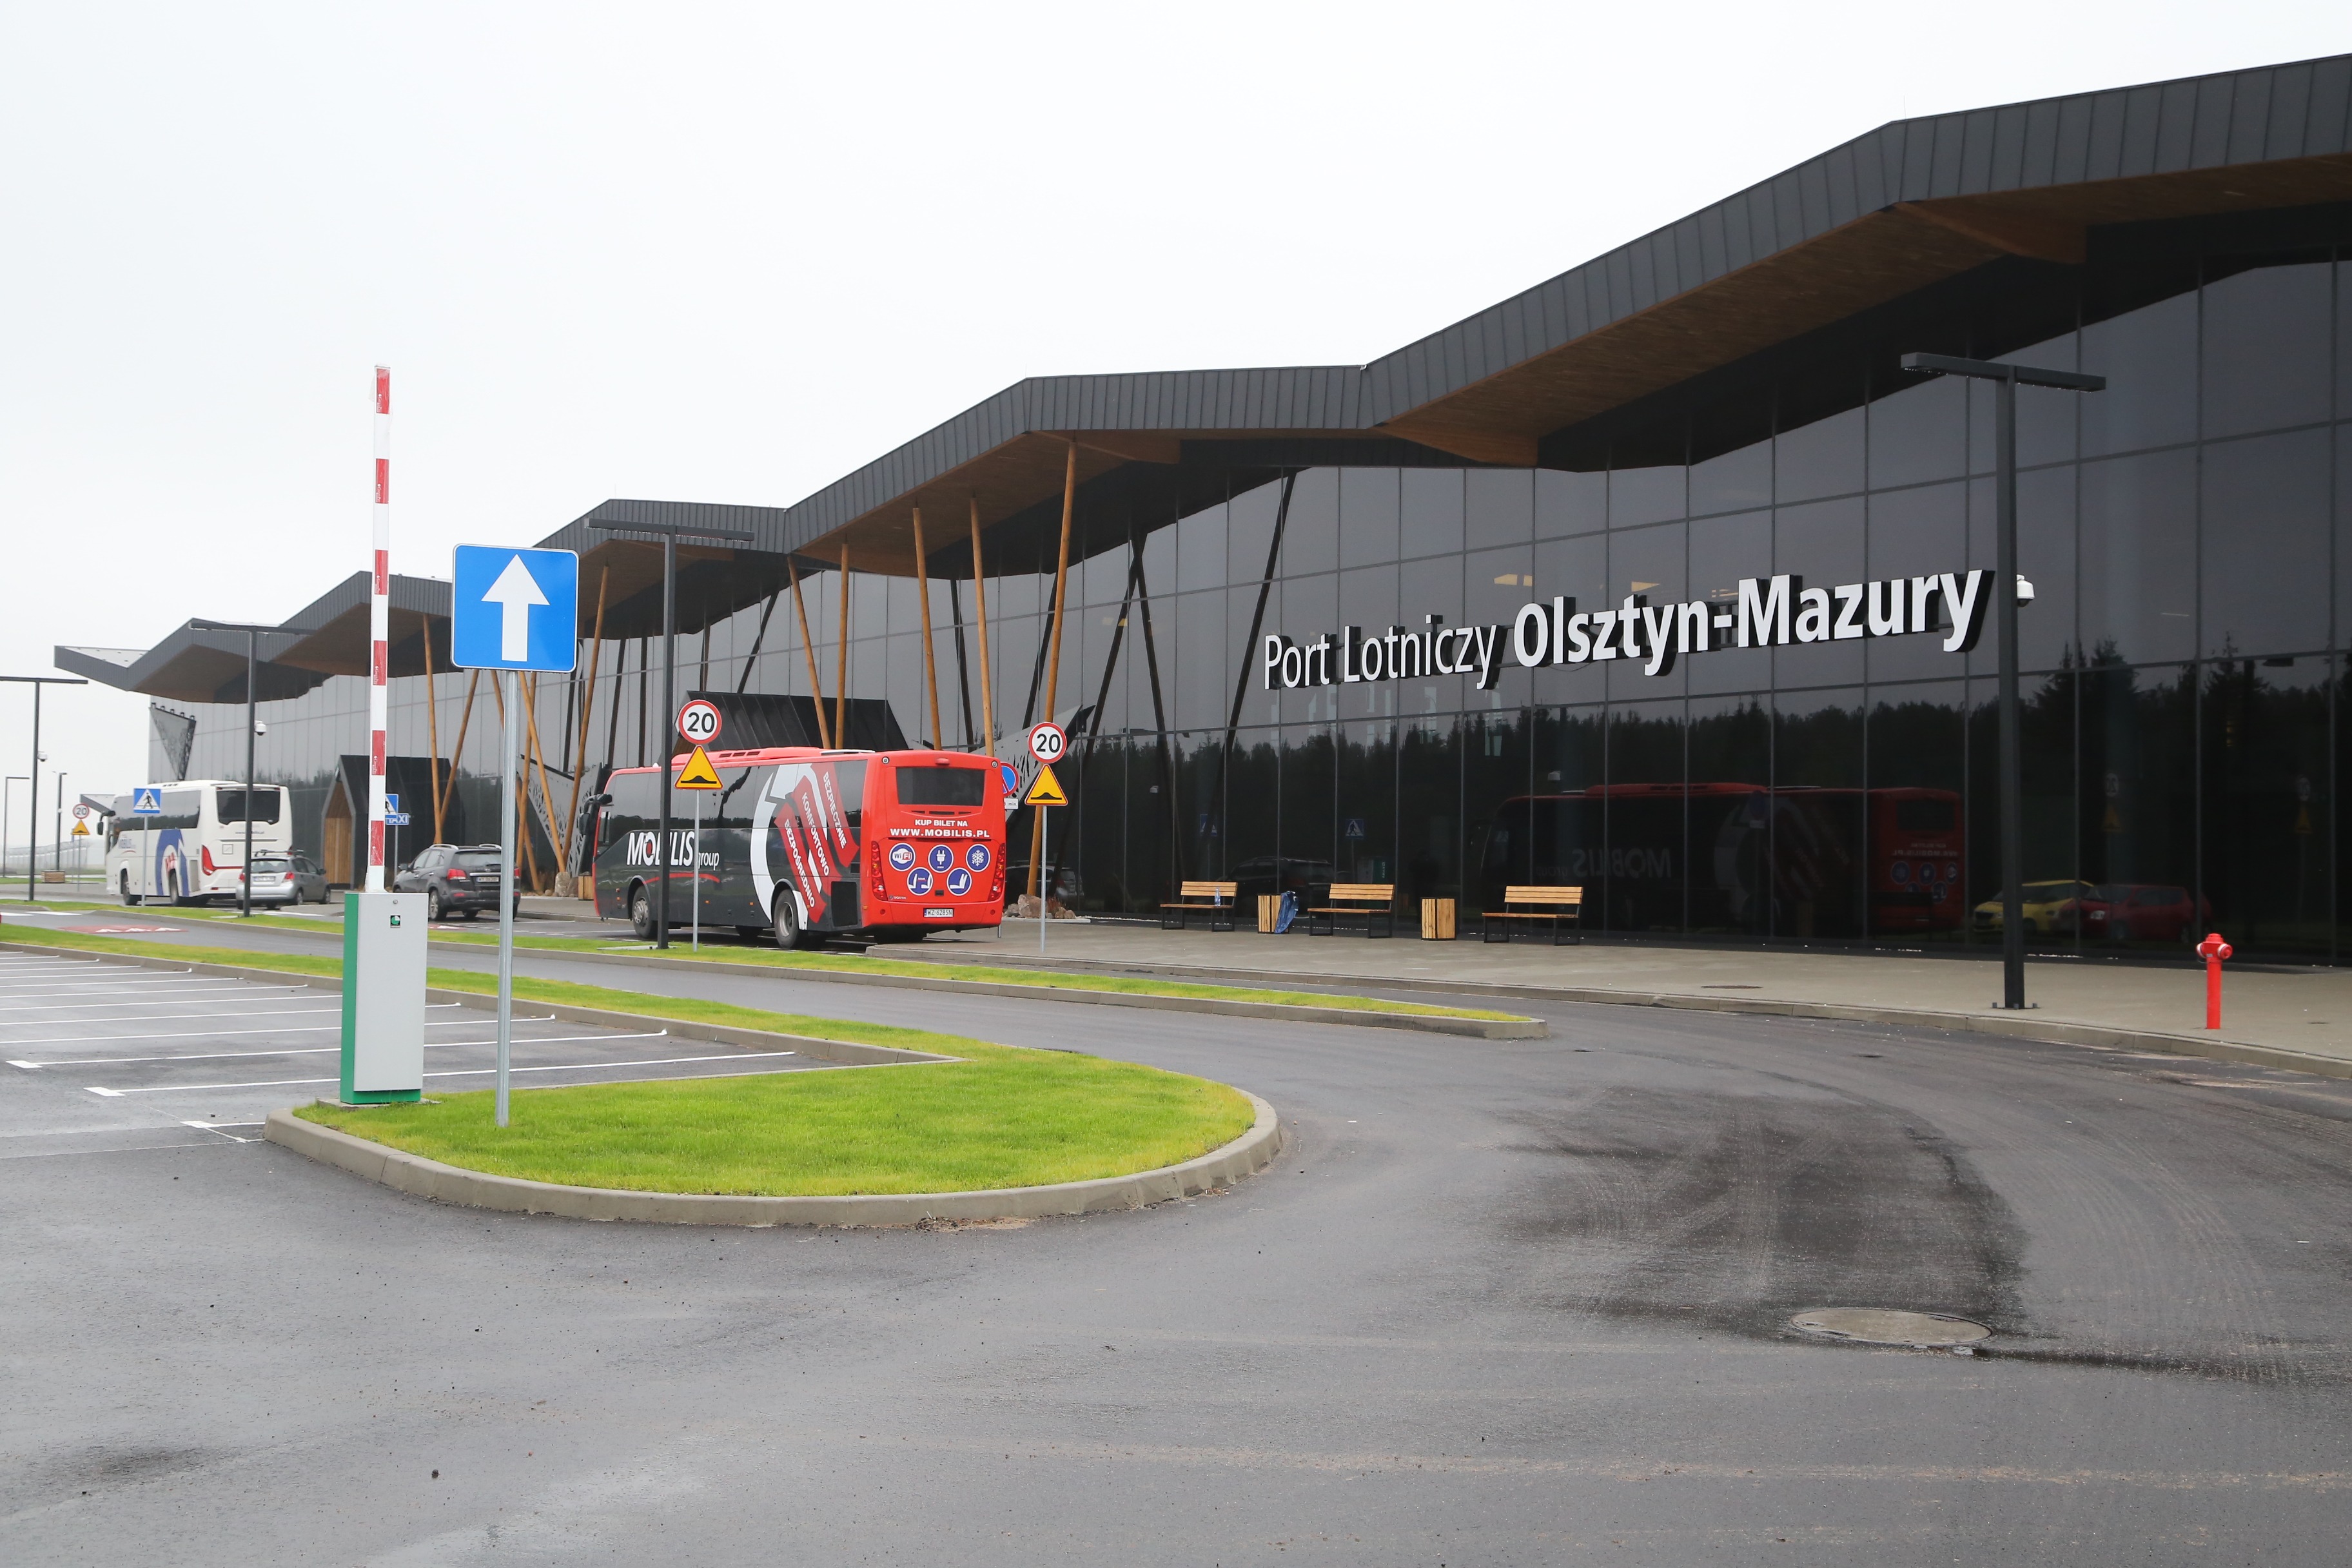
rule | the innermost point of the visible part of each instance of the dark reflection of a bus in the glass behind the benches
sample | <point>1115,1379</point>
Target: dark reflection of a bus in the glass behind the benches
<point>1737,859</point>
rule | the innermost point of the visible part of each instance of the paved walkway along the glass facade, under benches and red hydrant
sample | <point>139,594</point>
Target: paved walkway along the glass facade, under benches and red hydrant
<point>2306,1012</point>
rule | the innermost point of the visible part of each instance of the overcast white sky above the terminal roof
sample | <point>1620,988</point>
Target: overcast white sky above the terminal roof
<point>733,253</point>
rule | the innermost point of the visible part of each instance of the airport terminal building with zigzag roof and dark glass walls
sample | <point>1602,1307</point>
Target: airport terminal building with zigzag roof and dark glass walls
<point>1659,579</point>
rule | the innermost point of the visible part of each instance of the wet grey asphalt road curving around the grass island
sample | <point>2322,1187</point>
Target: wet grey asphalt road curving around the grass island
<point>1499,1304</point>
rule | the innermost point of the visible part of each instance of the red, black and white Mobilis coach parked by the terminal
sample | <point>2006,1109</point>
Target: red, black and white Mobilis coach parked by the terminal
<point>803,843</point>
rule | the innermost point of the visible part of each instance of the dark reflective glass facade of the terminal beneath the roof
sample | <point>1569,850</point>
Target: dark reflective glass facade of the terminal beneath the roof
<point>2181,652</point>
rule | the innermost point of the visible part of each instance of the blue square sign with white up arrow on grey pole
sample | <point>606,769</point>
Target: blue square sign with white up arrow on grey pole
<point>512,610</point>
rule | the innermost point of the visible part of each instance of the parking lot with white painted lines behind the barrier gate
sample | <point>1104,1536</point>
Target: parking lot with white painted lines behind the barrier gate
<point>107,1054</point>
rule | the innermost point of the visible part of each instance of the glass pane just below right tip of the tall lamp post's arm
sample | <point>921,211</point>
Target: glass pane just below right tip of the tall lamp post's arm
<point>2139,558</point>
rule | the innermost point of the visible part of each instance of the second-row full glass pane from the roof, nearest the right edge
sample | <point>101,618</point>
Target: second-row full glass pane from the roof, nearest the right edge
<point>2266,544</point>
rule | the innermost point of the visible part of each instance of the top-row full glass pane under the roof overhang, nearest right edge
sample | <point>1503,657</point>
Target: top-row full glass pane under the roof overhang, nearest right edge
<point>2266,349</point>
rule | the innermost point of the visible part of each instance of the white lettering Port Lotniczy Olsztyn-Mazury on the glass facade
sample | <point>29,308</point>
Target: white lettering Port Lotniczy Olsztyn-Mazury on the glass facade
<point>1765,612</point>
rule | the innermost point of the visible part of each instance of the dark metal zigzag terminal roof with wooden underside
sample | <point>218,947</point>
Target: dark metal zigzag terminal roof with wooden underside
<point>1878,217</point>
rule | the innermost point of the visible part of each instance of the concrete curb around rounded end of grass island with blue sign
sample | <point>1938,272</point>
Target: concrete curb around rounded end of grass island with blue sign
<point>443,1184</point>
